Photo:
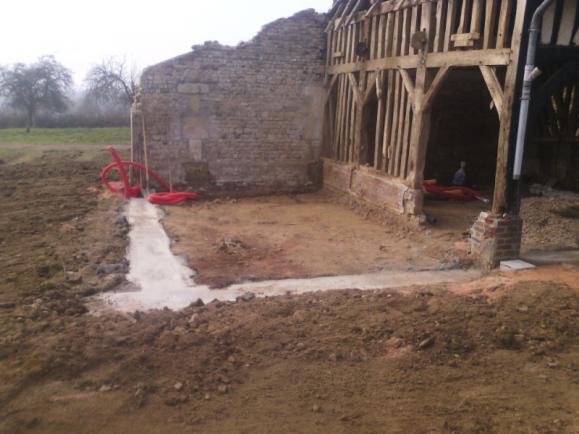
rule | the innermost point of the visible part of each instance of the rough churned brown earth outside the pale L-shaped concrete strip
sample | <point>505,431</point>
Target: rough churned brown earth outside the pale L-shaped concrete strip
<point>498,355</point>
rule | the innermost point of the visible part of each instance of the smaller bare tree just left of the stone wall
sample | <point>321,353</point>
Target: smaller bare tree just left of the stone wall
<point>112,81</point>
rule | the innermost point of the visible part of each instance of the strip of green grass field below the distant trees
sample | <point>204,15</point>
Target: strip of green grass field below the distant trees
<point>65,136</point>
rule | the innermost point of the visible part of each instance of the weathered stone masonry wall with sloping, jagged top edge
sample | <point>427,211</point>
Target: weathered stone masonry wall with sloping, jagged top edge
<point>243,120</point>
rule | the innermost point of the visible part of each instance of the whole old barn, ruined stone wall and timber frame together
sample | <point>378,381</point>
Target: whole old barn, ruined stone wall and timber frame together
<point>371,99</point>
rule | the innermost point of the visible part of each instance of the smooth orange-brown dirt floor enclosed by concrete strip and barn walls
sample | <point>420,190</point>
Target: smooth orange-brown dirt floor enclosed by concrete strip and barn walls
<point>309,235</point>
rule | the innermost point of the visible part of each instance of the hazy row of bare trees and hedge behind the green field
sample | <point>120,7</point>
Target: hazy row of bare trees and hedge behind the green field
<point>41,95</point>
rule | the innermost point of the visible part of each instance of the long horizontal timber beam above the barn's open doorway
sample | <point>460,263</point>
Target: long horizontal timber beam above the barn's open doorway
<point>498,57</point>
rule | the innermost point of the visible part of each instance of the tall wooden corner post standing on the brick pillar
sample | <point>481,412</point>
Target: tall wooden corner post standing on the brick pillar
<point>502,173</point>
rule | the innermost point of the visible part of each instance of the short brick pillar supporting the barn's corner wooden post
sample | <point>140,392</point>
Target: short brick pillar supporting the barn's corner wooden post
<point>496,238</point>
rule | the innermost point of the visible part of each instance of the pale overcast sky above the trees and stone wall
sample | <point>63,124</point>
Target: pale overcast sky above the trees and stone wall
<point>79,33</point>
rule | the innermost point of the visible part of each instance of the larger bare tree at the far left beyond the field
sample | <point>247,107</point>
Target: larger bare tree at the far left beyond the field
<point>39,86</point>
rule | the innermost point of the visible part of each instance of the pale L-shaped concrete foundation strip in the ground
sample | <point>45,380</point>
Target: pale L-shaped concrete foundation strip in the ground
<point>160,279</point>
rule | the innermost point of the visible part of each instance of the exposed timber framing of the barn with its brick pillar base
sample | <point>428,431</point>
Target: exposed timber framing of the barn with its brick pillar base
<point>386,64</point>
